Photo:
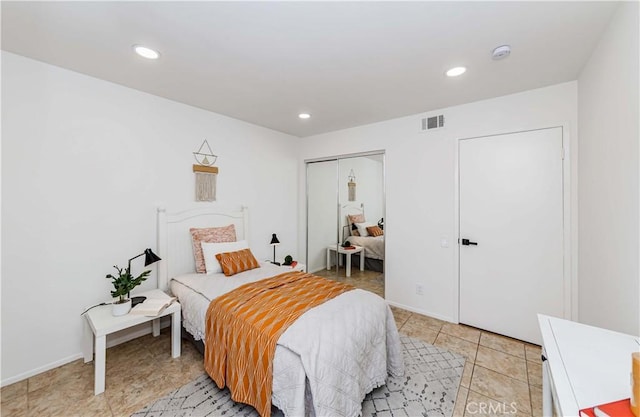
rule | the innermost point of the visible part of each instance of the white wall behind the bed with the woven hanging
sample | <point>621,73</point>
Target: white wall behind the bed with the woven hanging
<point>84,164</point>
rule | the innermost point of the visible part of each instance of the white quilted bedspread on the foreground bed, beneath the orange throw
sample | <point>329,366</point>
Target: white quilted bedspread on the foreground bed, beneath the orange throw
<point>334,353</point>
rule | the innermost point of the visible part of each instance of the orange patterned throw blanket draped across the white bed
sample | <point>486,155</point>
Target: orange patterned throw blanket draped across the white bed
<point>244,325</point>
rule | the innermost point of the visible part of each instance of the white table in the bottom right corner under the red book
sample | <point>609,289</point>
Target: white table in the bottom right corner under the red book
<point>585,366</point>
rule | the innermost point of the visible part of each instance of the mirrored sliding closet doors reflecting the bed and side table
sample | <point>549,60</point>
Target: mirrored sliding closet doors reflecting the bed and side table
<point>345,219</point>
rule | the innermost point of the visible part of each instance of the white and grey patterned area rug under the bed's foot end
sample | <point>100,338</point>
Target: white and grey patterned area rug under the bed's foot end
<point>428,388</point>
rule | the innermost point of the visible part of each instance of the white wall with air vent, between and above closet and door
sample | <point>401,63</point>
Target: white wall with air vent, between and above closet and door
<point>421,181</point>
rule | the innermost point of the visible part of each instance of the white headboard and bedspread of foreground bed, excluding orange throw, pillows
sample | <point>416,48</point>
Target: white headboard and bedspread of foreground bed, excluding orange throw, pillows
<point>326,361</point>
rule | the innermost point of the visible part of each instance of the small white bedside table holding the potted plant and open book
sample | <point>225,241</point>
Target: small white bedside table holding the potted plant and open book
<point>100,322</point>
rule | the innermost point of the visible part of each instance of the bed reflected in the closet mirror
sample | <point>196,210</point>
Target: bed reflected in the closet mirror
<point>354,229</point>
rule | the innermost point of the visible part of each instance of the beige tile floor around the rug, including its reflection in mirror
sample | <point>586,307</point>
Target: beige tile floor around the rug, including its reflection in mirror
<point>502,376</point>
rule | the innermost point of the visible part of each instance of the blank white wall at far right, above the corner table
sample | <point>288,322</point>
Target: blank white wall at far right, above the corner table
<point>608,111</point>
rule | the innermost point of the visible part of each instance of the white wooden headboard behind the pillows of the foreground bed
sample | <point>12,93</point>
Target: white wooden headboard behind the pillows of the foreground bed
<point>174,238</point>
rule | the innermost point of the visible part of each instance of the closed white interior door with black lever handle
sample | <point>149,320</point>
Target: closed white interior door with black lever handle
<point>511,206</point>
